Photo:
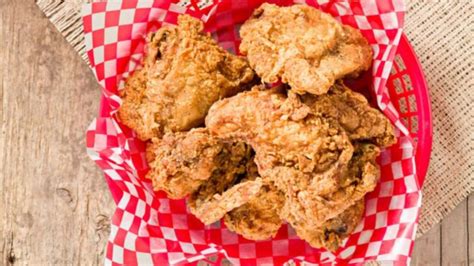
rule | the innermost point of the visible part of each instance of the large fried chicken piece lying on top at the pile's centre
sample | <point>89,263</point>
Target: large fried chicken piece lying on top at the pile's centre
<point>288,140</point>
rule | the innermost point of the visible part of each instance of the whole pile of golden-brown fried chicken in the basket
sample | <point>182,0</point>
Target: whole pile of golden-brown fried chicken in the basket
<point>305,154</point>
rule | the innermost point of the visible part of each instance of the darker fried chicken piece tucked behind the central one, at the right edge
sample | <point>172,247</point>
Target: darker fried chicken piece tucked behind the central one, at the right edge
<point>354,114</point>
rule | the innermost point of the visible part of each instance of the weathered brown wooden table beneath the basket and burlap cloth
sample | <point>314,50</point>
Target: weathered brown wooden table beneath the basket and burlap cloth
<point>55,206</point>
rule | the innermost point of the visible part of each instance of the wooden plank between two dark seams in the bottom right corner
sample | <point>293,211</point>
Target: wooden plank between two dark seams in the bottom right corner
<point>454,239</point>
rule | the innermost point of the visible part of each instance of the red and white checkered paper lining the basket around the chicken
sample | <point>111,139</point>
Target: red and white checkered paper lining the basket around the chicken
<point>149,228</point>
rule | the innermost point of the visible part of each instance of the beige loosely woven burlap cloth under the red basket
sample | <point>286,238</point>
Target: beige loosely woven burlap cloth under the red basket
<point>441,33</point>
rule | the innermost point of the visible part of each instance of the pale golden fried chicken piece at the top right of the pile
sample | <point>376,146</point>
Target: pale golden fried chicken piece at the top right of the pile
<point>303,46</point>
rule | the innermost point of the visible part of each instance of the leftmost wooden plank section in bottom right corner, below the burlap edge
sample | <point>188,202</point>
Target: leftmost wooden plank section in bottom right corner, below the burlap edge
<point>427,250</point>
